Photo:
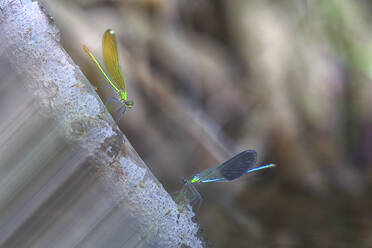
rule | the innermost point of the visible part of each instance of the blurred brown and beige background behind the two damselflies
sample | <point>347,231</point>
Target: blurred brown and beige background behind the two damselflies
<point>210,78</point>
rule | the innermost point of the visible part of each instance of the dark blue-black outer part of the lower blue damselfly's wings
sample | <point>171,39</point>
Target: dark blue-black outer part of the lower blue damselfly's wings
<point>238,165</point>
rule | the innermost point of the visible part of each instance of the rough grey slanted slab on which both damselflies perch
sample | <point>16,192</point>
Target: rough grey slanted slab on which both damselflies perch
<point>69,177</point>
